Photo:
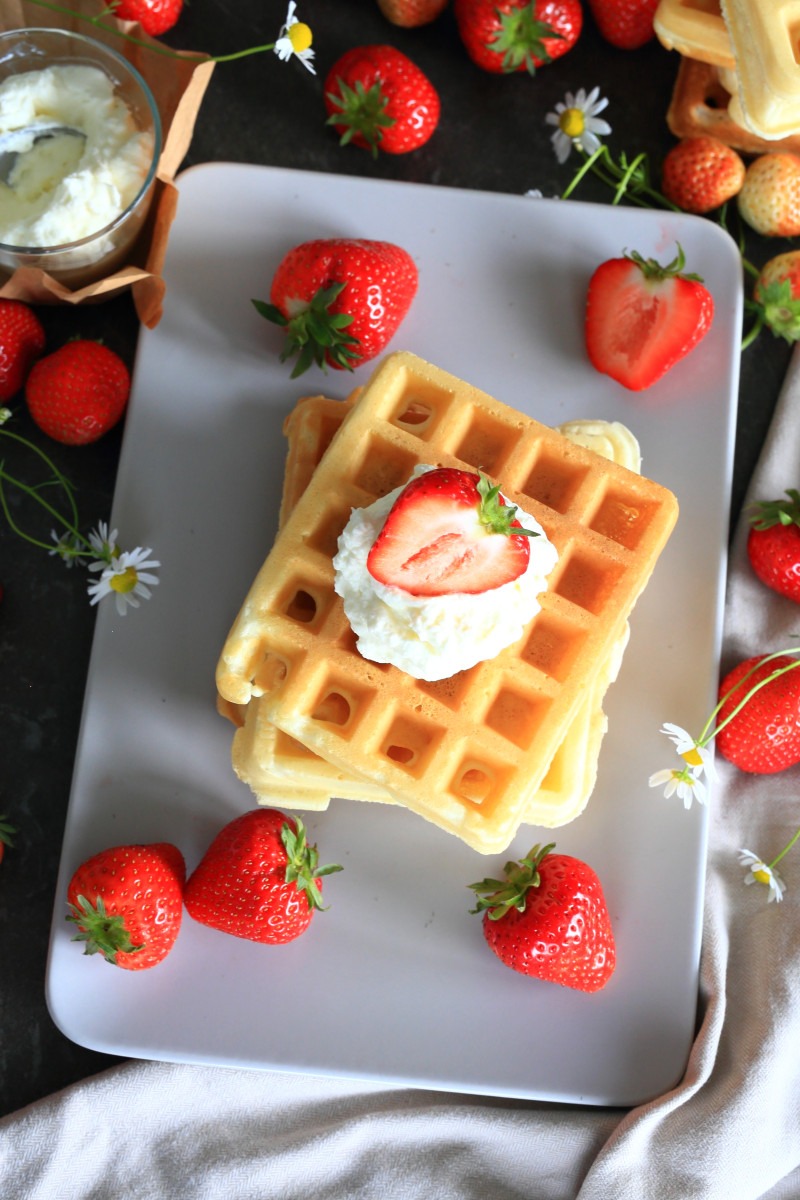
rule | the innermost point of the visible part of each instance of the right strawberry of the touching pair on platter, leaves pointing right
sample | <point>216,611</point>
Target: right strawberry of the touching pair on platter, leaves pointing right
<point>258,880</point>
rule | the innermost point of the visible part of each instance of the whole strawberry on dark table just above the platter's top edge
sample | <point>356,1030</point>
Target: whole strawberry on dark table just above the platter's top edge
<point>380,100</point>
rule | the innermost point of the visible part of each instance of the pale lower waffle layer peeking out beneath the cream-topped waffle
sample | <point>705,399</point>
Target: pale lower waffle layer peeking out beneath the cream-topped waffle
<point>274,764</point>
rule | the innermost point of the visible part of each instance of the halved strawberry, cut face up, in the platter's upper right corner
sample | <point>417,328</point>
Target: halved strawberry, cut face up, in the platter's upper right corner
<point>642,319</point>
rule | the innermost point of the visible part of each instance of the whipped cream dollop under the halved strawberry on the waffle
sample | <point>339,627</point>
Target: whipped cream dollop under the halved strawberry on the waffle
<point>434,638</point>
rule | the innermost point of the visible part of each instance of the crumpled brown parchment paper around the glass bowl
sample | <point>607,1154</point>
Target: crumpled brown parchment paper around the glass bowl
<point>178,85</point>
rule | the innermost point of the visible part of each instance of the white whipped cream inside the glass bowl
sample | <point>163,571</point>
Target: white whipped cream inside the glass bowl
<point>65,188</point>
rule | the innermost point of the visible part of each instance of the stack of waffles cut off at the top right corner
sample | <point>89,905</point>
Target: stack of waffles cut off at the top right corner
<point>739,77</point>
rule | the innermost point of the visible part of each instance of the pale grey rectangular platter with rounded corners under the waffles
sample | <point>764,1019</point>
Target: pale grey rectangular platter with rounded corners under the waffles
<point>394,982</point>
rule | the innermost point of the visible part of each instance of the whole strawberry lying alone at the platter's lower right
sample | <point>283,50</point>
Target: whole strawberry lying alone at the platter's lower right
<point>549,919</point>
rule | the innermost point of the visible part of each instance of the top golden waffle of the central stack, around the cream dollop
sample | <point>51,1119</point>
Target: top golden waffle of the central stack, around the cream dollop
<point>468,752</point>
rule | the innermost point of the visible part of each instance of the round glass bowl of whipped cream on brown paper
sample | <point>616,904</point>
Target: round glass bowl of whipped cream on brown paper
<point>73,203</point>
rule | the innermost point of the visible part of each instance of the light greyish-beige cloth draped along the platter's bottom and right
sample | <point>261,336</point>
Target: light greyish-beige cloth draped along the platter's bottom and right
<point>730,1130</point>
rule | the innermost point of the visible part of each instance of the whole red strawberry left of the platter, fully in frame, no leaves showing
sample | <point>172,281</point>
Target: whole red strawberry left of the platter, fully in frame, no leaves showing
<point>79,393</point>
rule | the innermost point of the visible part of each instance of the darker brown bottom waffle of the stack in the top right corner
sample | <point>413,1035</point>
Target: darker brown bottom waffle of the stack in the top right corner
<point>701,105</point>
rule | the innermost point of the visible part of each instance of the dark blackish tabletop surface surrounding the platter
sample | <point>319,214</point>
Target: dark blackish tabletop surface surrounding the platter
<point>492,137</point>
